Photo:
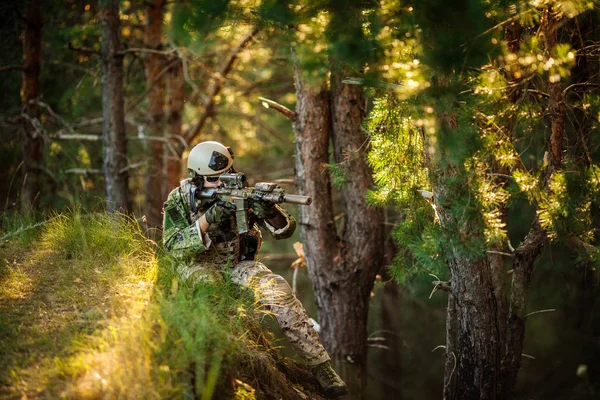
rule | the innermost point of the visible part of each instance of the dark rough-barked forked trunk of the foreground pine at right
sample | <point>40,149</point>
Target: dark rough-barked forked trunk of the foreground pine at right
<point>490,338</point>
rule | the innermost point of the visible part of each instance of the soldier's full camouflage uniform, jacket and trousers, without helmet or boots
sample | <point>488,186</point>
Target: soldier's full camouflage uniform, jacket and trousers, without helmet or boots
<point>203,256</point>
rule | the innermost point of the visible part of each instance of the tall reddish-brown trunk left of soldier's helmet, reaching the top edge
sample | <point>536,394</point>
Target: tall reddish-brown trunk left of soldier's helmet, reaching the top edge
<point>155,182</point>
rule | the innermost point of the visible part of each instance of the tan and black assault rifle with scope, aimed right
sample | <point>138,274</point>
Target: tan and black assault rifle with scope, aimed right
<point>234,188</point>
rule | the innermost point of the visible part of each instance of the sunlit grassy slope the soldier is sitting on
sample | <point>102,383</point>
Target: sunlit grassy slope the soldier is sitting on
<point>88,310</point>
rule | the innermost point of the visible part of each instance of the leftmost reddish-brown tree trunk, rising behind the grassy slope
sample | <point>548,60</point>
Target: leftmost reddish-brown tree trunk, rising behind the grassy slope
<point>30,93</point>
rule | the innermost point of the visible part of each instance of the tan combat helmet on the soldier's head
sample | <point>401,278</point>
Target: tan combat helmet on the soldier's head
<point>209,159</point>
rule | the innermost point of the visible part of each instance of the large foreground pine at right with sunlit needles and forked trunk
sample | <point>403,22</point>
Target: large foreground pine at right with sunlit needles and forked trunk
<point>479,91</point>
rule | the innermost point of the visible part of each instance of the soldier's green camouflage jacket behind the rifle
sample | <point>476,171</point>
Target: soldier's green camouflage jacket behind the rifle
<point>183,238</point>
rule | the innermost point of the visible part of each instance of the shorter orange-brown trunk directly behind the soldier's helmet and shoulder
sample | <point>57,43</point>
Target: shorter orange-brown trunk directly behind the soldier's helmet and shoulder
<point>175,111</point>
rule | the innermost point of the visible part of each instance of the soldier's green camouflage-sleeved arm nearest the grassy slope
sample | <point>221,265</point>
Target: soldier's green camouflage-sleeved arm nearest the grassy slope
<point>181,239</point>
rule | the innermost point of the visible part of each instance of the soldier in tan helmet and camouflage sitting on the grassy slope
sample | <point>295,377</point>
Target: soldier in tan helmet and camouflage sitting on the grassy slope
<point>203,236</point>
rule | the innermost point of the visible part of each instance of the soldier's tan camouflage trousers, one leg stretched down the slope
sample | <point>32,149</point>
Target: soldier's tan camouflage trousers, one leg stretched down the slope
<point>275,294</point>
